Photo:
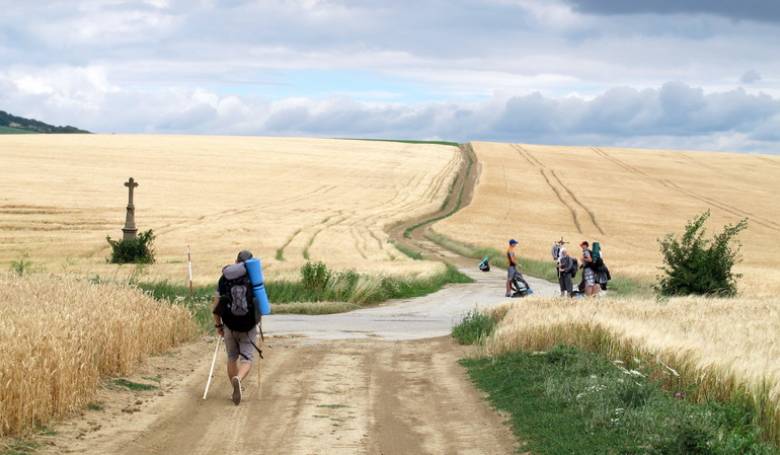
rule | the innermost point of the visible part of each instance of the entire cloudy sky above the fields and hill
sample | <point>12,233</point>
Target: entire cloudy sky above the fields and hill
<point>686,74</point>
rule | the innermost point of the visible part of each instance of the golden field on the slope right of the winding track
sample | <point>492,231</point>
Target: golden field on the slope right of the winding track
<point>625,198</point>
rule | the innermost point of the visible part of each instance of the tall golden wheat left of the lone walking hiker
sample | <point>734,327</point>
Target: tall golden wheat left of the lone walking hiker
<point>59,335</point>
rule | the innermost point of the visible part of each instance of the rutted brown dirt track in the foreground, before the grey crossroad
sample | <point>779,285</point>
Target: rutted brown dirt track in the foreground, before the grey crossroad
<point>346,397</point>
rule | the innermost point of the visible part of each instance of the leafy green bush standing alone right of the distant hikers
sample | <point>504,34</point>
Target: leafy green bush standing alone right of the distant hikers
<point>695,265</point>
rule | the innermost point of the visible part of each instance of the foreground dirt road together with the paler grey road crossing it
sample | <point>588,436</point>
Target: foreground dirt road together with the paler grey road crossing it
<point>373,381</point>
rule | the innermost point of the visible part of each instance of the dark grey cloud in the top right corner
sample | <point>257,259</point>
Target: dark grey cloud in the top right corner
<point>756,10</point>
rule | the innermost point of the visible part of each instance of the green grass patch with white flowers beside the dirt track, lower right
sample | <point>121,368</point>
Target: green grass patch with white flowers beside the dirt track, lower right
<point>569,401</point>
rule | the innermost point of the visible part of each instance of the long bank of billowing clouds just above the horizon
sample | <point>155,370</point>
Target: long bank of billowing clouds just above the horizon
<point>674,114</point>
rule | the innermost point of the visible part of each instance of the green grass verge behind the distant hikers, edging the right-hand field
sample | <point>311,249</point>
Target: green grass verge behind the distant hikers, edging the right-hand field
<point>621,286</point>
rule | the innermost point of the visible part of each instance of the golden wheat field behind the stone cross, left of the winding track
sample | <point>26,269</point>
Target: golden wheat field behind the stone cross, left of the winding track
<point>288,200</point>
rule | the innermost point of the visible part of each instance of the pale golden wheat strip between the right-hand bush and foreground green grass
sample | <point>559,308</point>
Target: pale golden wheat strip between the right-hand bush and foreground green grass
<point>708,349</point>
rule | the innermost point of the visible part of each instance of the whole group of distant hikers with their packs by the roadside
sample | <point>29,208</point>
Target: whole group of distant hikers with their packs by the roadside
<point>594,278</point>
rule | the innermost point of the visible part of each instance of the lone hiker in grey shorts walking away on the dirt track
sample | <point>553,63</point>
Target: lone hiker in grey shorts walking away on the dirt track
<point>236,319</point>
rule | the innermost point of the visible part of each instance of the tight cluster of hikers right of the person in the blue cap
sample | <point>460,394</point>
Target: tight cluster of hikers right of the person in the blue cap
<point>595,274</point>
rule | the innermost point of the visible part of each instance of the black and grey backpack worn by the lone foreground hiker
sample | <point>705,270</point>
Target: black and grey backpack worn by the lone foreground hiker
<point>238,311</point>
